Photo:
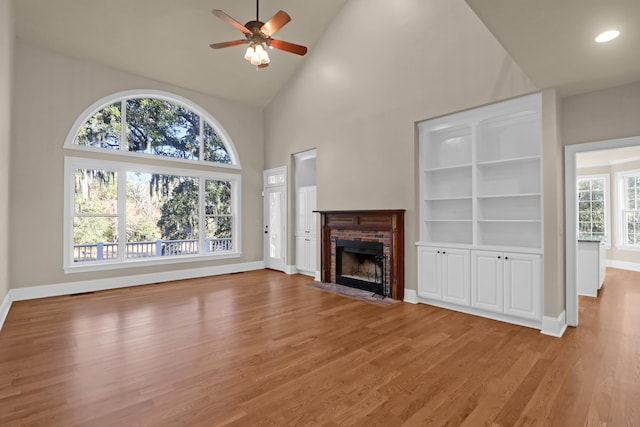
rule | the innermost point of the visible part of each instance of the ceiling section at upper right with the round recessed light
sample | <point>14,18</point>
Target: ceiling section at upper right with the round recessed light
<point>553,40</point>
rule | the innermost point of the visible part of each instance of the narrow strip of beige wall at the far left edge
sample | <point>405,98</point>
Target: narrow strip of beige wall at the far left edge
<point>6,66</point>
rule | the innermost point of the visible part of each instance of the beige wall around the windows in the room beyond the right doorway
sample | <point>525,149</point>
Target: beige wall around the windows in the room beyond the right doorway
<point>615,253</point>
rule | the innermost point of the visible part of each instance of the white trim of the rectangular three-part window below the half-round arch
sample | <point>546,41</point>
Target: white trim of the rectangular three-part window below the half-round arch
<point>73,163</point>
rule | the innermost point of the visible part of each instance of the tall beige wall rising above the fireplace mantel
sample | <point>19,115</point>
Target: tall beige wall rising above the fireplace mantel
<point>357,100</point>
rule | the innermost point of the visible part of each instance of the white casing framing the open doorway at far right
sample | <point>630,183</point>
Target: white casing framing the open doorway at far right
<point>570,209</point>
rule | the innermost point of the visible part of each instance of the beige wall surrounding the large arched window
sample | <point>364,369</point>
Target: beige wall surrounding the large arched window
<point>51,91</point>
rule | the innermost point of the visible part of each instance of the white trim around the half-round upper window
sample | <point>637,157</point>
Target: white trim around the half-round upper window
<point>150,93</point>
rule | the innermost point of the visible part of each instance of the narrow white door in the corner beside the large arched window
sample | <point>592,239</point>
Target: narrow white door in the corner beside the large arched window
<point>275,218</point>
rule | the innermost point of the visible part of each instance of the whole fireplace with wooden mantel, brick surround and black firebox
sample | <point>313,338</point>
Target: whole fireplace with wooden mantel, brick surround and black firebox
<point>378,227</point>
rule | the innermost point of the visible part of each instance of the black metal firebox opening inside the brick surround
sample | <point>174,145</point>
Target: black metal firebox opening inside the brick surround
<point>361,265</point>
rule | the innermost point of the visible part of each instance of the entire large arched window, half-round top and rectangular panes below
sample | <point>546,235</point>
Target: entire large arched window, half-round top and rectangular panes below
<point>156,204</point>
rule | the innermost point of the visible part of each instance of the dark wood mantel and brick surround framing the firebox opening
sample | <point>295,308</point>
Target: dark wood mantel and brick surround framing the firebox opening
<point>385,226</point>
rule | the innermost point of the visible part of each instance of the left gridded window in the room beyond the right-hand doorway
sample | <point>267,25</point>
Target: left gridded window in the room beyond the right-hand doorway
<point>593,193</point>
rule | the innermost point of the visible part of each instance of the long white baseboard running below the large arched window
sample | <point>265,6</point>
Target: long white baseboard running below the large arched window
<point>43,291</point>
